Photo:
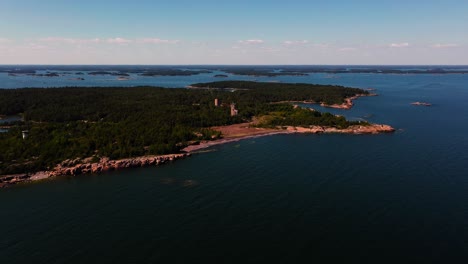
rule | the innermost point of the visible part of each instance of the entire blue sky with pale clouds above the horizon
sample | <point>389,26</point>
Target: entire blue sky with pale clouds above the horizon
<point>409,32</point>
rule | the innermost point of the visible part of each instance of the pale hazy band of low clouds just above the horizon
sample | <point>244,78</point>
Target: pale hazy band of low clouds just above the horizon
<point>153,50</point>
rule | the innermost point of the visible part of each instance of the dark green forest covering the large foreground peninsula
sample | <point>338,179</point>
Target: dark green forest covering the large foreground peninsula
<point>74,122</point>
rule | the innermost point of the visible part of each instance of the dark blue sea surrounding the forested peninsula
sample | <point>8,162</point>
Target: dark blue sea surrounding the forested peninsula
<point>390,198</point>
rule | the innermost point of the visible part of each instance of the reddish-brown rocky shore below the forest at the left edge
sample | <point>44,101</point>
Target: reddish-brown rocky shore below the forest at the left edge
<point>78,166</point>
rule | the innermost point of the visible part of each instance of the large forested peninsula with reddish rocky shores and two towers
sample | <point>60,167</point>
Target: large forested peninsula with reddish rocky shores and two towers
<point>114,128</point>
